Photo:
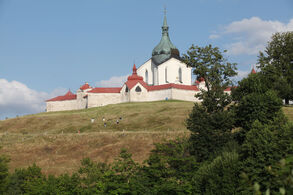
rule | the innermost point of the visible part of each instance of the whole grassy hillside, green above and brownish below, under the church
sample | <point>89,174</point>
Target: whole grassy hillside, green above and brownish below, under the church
<point>52,141</point>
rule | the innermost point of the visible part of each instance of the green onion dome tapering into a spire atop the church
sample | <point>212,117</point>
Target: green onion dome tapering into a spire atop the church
<point>165,49</point>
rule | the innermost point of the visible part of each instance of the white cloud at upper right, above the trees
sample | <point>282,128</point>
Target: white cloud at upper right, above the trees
<point>249,36</point>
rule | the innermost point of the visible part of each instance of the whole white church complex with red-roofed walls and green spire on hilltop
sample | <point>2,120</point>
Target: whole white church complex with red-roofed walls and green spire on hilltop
<point>162,77</point>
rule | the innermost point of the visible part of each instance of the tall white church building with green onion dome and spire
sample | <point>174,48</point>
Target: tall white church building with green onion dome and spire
<point>165,67</point>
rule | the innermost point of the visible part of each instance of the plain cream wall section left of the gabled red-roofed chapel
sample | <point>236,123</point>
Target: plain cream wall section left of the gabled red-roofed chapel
<point>102,99</point>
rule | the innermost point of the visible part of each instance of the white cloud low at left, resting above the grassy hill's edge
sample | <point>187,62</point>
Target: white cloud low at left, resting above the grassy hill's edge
<point>18,99</point>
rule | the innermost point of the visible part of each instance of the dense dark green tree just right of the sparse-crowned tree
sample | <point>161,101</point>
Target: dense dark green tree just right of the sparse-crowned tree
<point>255,101</point>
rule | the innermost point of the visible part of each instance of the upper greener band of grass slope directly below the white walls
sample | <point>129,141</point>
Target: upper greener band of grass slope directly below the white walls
<point>154,116</point>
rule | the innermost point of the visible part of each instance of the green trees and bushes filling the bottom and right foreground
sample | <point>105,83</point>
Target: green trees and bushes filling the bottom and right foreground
<point>239,144</point>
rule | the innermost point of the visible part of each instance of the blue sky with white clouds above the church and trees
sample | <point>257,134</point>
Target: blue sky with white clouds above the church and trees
<point>49,47</point>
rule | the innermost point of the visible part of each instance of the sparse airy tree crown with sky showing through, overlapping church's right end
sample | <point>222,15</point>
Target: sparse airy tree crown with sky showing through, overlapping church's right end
<point>210,64</point>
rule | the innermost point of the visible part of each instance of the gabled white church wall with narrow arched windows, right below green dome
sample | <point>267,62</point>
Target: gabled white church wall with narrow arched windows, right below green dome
<point>172,66</point>
